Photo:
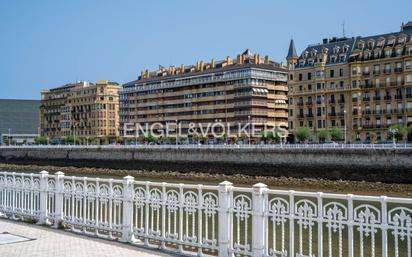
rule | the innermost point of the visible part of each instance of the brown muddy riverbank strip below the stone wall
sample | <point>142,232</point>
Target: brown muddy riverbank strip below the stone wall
<point>288,183</point>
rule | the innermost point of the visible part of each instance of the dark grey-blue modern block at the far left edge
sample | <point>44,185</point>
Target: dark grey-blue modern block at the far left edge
<point>19,119</point>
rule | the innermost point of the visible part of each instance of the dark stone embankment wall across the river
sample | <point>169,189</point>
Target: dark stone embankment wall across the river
<point>385,165</point>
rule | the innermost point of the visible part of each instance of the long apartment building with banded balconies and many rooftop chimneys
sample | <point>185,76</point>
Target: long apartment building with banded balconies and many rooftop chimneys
<point>231,91</point>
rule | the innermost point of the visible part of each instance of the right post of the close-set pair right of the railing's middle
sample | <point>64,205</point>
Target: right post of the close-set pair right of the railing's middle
<point>258,220</point>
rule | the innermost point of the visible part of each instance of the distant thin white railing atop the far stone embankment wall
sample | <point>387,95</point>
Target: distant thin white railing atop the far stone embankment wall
<point>220,146</point>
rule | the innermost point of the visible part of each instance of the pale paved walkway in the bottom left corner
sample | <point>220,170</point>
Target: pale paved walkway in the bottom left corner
<point>50,242</point>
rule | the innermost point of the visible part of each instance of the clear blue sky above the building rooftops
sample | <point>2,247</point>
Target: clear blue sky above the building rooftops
<point>46,44</point>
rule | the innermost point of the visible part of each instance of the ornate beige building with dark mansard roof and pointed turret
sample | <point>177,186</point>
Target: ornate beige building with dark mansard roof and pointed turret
<point>360,85</point>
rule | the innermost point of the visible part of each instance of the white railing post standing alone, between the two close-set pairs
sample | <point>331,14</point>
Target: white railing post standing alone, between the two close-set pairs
<point>127,222</point>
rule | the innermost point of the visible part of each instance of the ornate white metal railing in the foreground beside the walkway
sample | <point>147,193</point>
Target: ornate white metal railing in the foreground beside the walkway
<point>218,220</point>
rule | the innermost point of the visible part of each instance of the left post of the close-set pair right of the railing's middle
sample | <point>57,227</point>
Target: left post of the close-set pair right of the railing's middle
<point>225,218</point>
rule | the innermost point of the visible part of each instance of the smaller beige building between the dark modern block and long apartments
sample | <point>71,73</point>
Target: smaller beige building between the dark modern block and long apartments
<point>83,110</point>
